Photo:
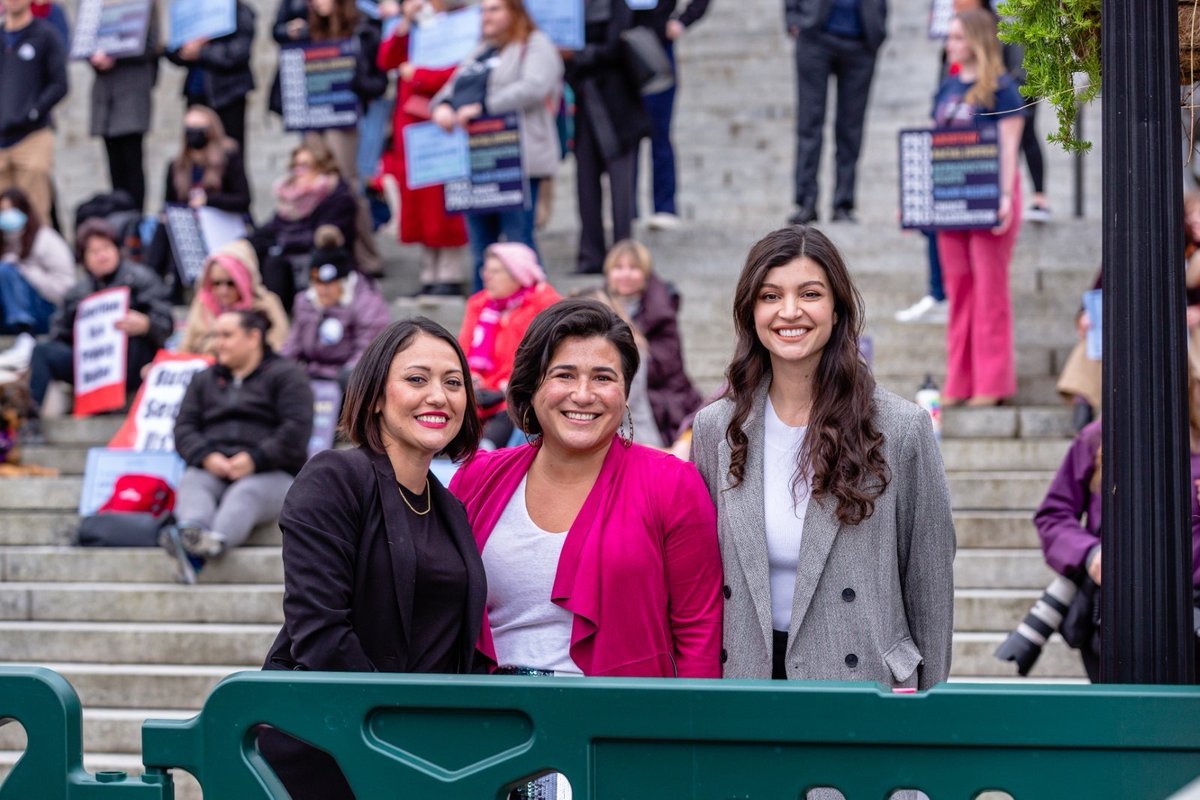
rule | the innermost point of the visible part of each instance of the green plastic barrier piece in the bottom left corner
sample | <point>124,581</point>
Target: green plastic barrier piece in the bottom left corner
<point>52,767</point>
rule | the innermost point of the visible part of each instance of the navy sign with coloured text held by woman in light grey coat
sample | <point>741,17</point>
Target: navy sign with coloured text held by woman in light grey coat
<point>497,181</point>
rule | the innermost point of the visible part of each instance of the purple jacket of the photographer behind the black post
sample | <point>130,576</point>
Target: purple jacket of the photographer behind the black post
<point>1066,540</point>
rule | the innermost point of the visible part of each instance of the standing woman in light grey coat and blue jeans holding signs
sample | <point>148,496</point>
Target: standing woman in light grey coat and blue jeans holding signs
<point>515,69</point>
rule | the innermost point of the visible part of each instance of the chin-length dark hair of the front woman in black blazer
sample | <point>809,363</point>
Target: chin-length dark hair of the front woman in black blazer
<point>369,382</point>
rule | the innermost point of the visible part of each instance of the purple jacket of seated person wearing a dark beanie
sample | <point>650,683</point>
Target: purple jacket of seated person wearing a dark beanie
<point>326,340</point>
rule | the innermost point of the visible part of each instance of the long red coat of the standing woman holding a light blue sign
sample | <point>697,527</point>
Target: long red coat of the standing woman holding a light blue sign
<point>423,215</point>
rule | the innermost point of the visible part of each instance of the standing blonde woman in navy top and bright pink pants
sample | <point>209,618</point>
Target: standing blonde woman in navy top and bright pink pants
<point>975,263</point>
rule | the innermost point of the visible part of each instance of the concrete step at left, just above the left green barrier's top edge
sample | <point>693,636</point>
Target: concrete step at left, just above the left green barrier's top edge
<point>147,643</point>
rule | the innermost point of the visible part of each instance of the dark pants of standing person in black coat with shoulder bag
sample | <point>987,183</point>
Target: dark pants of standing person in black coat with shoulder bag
<point>591,165</point>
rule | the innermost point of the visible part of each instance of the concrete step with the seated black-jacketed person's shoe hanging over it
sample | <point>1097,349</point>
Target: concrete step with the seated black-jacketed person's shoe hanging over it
<point>135,566</point>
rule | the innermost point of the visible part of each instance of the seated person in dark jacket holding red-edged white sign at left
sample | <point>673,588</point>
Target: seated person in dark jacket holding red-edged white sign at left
<point>147,324</point>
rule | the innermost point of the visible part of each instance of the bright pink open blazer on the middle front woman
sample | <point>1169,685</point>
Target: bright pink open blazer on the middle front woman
<point>641,568</point>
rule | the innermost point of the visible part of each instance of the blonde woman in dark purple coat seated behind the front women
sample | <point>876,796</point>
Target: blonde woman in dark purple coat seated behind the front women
<point>653,308</point>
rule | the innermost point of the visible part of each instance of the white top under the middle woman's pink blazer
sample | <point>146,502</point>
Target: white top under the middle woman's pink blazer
<point>521,561</point>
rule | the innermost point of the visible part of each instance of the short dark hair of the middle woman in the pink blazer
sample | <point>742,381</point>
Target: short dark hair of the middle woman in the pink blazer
<point>574,318</point>
